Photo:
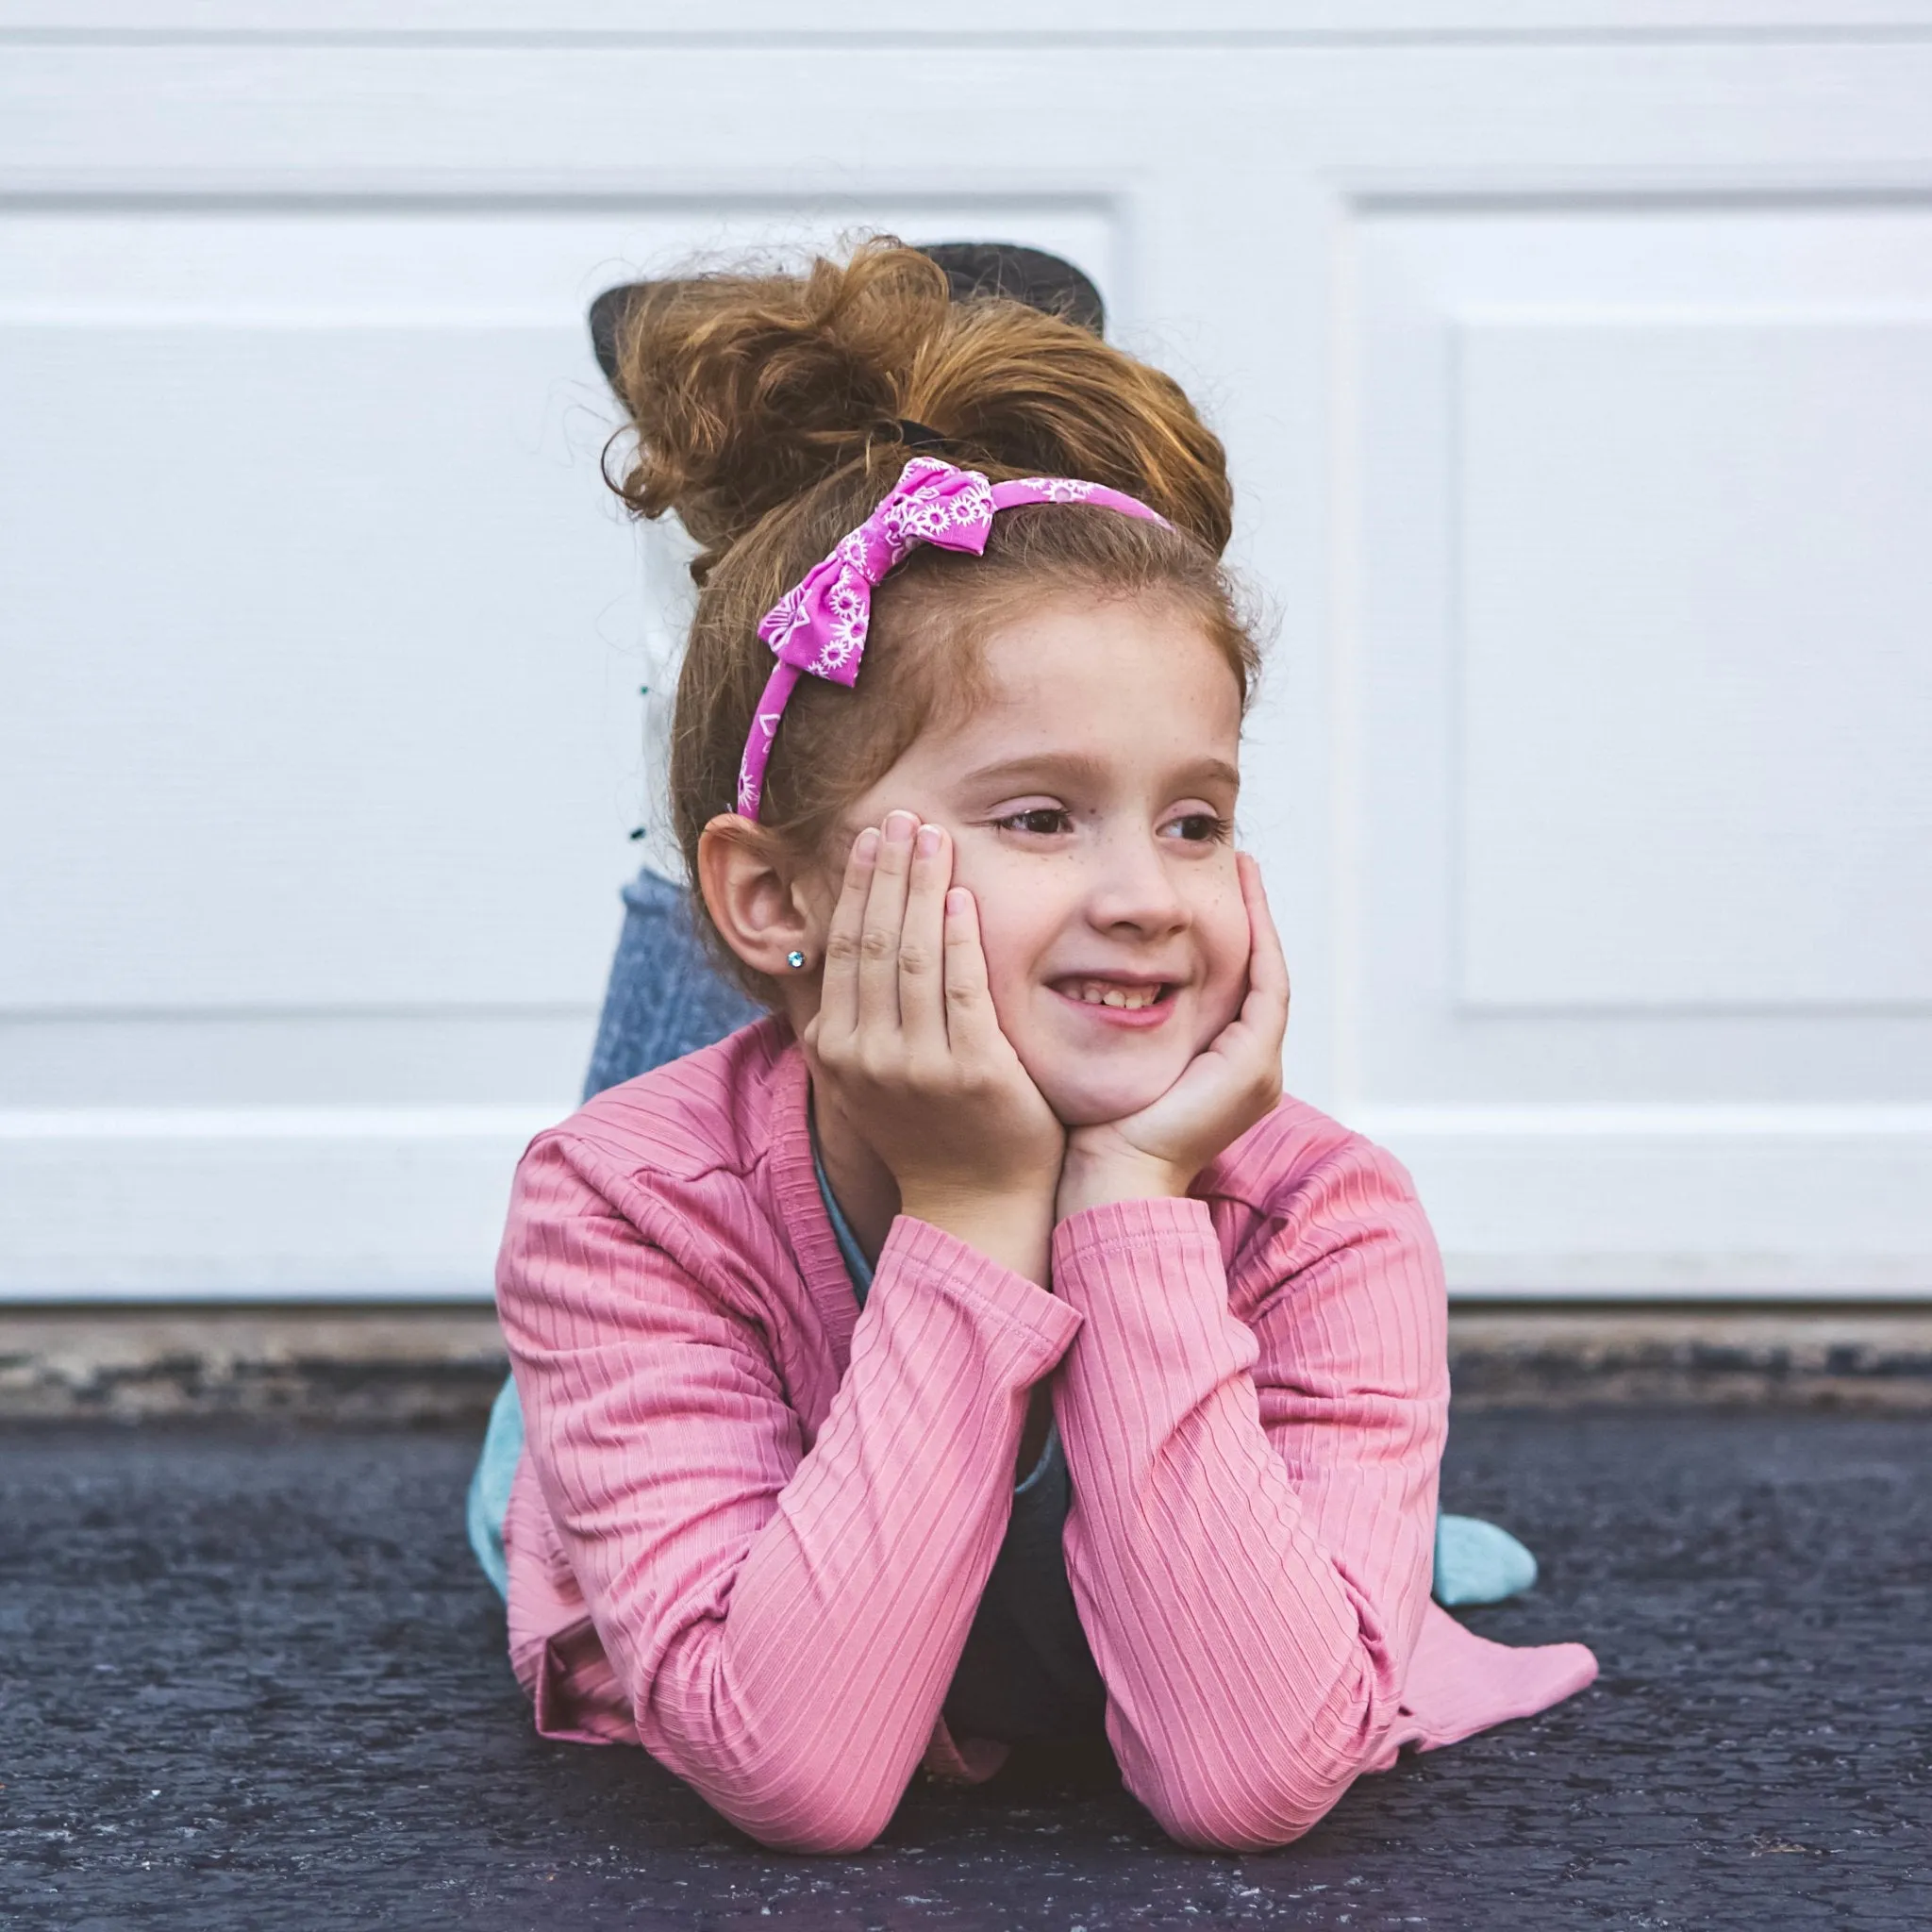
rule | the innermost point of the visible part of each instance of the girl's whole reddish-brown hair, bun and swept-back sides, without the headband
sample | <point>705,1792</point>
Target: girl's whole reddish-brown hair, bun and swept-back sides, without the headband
<point>768,416</point>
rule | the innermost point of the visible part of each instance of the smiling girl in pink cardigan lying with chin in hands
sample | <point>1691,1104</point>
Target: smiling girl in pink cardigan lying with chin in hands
<point>980,1348</point>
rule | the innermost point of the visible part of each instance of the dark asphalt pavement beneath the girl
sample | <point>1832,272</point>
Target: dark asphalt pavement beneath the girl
<point>250,1680</point>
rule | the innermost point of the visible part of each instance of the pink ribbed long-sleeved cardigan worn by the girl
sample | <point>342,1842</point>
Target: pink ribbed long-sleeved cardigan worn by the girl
<point>753,1525</point>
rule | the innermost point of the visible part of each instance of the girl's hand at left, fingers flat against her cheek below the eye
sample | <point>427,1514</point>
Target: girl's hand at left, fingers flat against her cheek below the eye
<point>909,1052</point>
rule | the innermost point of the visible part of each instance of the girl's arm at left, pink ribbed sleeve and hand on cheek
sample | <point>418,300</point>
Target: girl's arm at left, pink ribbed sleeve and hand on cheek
<point>787,1624</point>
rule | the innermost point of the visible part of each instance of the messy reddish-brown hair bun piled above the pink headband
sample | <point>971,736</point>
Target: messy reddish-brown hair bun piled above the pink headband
<point>747,391</point>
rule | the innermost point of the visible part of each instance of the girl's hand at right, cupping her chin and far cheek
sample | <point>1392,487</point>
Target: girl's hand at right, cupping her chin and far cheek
<point>1226,1089</point>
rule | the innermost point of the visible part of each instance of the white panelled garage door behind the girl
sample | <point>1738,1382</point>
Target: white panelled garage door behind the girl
<point>1577,372</point>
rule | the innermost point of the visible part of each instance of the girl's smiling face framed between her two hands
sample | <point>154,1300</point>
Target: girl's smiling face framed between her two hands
<point>1091,805</point>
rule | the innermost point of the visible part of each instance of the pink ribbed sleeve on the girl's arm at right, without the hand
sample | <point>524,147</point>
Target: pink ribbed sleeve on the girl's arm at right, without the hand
<point>1255,1502</point>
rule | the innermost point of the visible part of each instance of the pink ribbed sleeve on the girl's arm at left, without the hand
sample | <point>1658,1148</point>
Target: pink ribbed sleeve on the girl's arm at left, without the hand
<point>785,1622</point>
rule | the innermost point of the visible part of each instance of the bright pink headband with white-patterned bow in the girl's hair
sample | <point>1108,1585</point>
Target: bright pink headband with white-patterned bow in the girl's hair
<point>818,629</point>
